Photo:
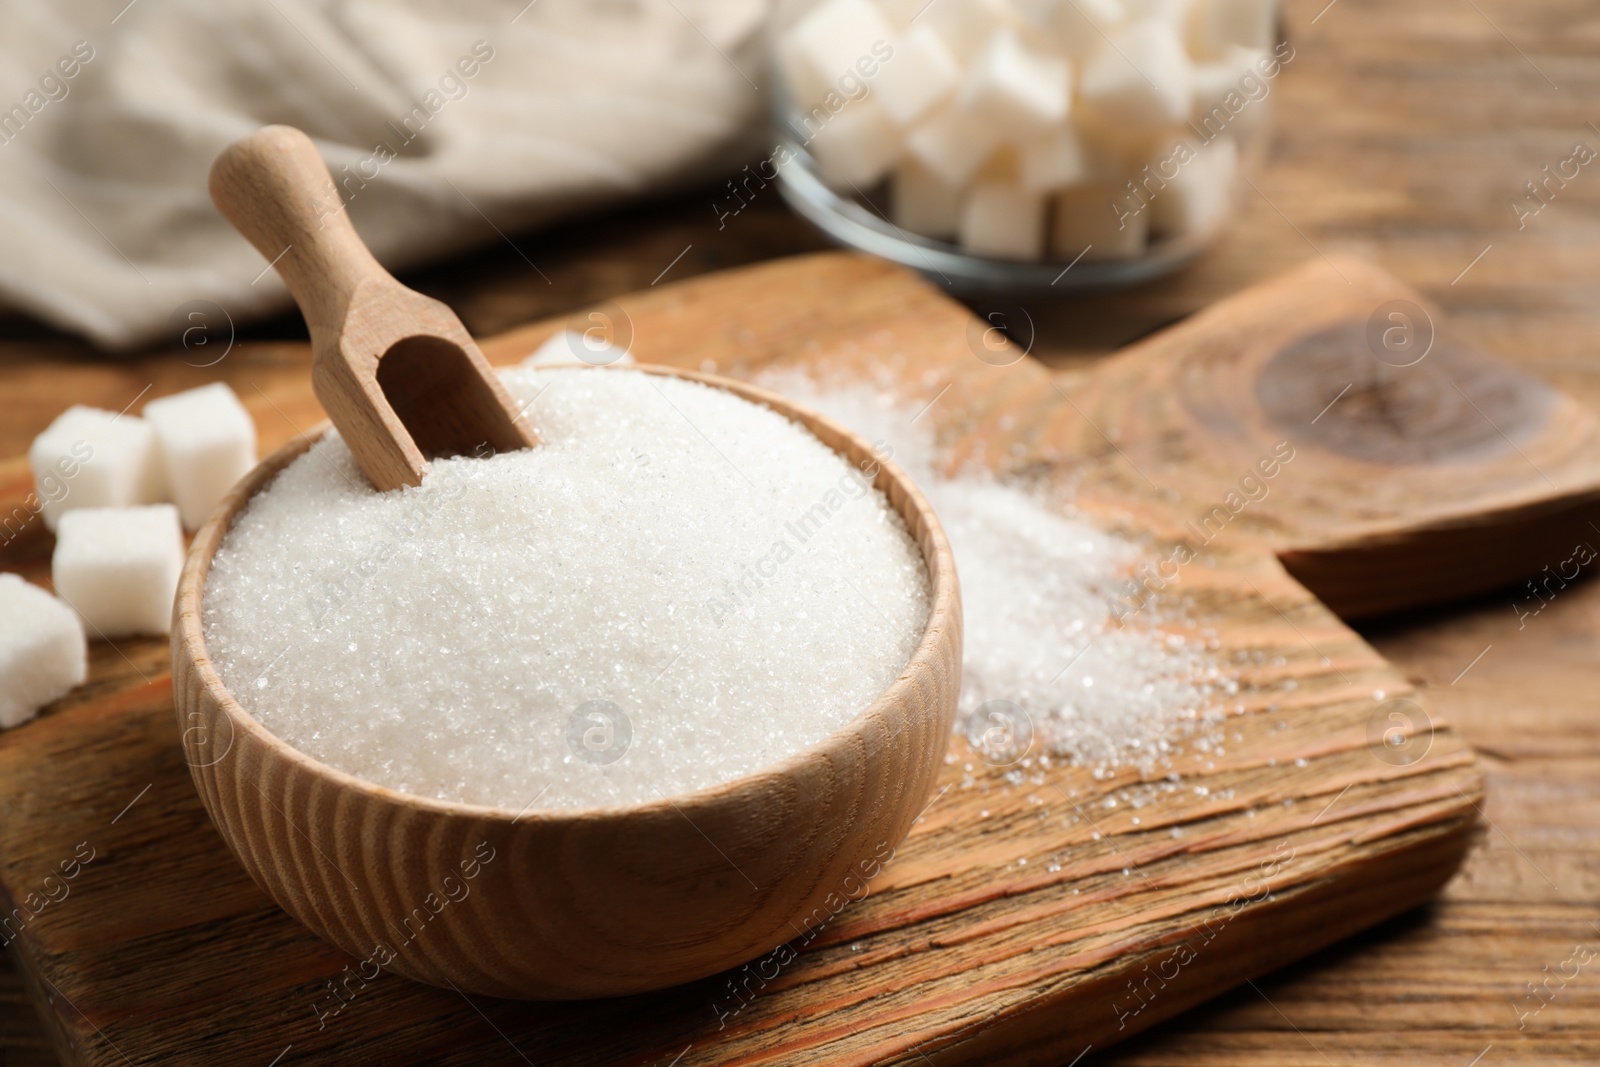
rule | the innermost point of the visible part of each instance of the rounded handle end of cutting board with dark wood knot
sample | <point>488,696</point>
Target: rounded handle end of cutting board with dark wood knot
<point>1422,473</point>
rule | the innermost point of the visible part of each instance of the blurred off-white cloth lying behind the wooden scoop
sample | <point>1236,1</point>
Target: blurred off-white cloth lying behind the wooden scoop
<point>106,226</point>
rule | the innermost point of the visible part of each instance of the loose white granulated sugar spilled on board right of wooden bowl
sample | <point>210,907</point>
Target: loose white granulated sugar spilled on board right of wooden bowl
<point>1047,671</point>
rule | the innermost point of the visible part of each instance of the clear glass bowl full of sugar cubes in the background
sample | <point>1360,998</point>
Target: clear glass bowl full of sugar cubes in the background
<point>1022,145</point>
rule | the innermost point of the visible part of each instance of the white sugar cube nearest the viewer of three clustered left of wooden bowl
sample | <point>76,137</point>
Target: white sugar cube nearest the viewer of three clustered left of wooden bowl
<point>119,567</point>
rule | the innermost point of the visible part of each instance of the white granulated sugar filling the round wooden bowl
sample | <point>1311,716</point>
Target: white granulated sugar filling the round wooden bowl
<point>642,605</point>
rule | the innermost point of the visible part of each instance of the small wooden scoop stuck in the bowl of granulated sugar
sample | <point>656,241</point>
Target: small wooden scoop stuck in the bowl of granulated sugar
<point>396,370</point>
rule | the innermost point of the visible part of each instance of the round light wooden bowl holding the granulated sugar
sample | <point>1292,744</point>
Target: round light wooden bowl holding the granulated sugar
<point>575,903</point>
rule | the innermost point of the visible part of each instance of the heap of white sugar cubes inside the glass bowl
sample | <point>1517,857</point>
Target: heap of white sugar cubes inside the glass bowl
<point>1012,126</point>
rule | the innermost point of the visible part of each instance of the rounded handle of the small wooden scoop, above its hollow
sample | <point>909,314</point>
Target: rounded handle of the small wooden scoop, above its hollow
<point>274,188</point>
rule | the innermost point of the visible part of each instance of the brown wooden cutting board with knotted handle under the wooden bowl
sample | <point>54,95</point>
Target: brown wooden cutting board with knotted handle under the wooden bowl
<point>1028,919</point>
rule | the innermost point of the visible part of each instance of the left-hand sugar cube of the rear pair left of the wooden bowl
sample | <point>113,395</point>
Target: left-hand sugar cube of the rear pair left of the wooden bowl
<point>92,458</point>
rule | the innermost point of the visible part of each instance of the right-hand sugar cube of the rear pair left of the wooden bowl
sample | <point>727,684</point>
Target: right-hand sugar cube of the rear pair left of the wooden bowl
<point>207,442</point>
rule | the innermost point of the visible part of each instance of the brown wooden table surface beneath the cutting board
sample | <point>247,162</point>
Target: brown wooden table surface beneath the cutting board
<point>1402,134</point>
